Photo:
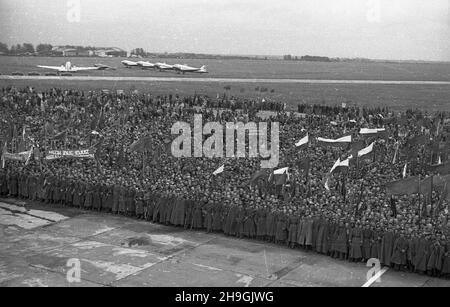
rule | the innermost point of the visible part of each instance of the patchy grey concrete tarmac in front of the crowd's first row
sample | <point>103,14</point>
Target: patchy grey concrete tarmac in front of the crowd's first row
<point>39,245</point>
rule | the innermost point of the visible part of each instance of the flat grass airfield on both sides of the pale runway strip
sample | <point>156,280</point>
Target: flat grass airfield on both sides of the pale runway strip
<point>398,97</point>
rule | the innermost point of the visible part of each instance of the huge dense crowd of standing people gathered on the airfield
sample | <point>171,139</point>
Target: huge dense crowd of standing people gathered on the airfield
<point>350,217</point>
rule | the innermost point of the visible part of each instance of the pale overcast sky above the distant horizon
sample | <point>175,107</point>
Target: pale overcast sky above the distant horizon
<point>382,29</point>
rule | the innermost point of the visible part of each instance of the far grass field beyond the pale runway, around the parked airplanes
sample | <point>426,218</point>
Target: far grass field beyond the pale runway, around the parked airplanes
<point>251,69</point>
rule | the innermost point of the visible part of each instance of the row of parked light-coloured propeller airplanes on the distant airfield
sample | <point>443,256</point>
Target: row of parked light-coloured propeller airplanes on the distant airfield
<point>68,67</point>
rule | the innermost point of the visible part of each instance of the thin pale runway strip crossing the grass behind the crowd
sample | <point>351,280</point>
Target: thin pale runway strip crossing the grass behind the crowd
<point>220,80</point>
